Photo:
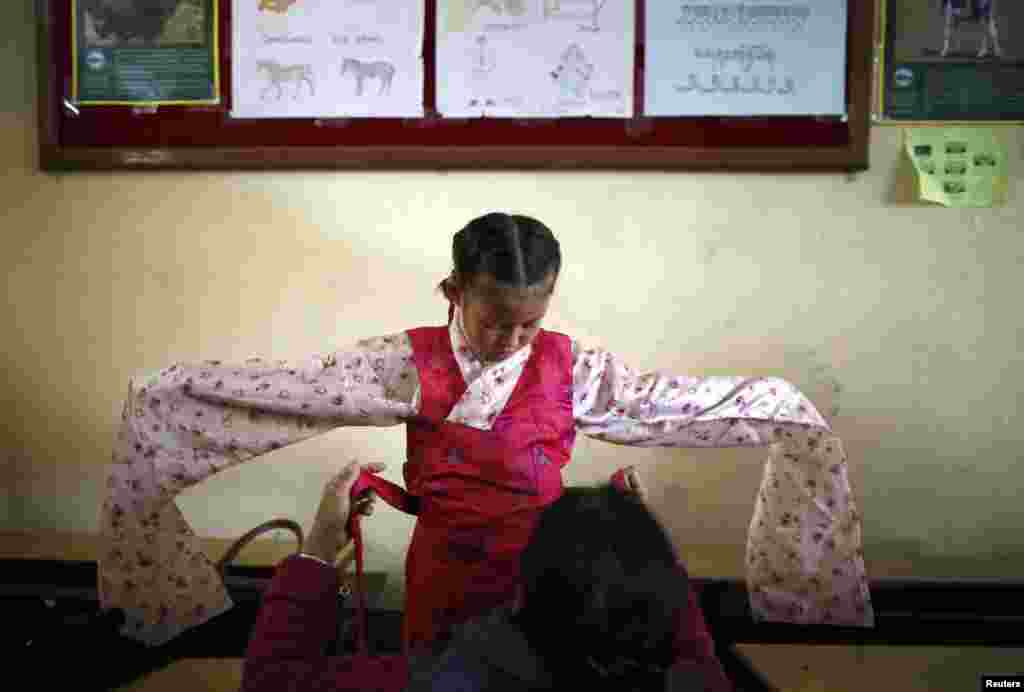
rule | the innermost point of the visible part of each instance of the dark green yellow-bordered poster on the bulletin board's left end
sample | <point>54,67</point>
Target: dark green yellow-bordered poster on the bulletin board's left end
<point>145,53</point>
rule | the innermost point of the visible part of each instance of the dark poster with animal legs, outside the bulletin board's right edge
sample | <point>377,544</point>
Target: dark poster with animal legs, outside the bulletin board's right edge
<point>953,61</point>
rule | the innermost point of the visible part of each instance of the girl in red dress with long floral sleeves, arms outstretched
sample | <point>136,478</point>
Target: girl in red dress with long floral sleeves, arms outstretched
<point>492,405</point>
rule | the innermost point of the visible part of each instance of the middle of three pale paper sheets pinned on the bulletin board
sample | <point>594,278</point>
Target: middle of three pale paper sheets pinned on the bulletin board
<point>535,59</point>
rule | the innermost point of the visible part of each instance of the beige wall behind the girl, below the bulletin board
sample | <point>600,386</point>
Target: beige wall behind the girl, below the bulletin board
<point>904,319</point>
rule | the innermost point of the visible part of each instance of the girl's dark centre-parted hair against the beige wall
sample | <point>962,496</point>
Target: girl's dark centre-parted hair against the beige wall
<point>518,251</point>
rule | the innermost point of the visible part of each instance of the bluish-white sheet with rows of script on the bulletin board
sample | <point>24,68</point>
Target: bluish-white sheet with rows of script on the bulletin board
<point>755,58</point>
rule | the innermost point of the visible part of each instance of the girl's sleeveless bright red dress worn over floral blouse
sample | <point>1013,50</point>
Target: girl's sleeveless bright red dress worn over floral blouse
<point>480,493</point>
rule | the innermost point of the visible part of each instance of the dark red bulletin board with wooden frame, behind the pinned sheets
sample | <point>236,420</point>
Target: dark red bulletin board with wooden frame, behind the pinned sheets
<point>206,138</point>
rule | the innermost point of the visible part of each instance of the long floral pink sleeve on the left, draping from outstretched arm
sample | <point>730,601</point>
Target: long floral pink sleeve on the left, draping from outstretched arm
<point>189,422</point>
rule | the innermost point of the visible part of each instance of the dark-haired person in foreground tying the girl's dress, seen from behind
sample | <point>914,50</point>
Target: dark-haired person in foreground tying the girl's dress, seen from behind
<point>602,585</point>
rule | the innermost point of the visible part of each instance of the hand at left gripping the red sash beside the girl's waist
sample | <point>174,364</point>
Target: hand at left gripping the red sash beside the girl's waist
<point>329,533</point>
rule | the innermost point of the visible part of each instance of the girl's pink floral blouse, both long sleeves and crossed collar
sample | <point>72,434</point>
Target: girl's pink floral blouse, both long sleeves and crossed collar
<point>188,422</point>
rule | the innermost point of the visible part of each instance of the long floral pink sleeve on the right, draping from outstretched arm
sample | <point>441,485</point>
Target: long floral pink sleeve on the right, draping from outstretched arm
<point>804,556</point>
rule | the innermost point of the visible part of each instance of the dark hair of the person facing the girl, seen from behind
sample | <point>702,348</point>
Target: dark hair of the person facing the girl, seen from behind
<point>604,591</point>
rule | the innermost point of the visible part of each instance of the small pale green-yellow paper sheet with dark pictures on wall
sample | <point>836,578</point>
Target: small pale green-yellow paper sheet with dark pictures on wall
<point>959,166</point>
